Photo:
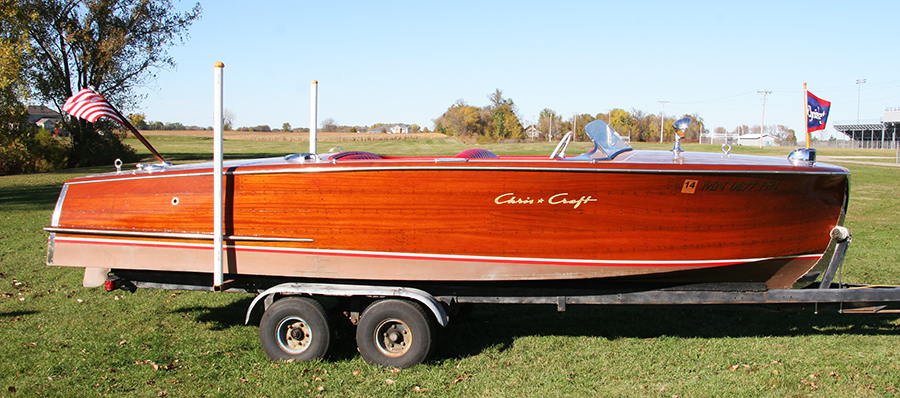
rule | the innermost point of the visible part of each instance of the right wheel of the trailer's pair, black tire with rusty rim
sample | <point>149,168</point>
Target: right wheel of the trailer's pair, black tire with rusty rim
<point>394,333</point>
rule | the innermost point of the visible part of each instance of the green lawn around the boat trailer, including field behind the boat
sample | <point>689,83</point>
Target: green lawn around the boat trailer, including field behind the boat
<point>60,339</point>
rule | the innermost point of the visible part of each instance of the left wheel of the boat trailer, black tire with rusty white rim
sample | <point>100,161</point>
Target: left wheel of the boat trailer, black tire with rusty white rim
<point>295,328</point>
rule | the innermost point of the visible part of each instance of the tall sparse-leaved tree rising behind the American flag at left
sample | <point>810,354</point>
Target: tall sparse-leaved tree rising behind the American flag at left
<point>114,46</point>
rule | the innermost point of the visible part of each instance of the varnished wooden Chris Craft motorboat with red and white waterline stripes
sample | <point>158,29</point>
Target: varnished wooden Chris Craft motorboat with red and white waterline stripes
<point>612,214</point>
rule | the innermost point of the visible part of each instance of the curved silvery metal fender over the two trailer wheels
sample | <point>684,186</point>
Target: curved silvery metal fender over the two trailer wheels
<point>328,289</point>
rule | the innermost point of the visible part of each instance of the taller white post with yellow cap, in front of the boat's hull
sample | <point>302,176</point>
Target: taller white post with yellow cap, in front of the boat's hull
<point>218,202</point>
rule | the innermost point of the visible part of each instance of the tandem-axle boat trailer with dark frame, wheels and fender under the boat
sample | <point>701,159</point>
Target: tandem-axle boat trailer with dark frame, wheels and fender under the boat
<point>395,324</point>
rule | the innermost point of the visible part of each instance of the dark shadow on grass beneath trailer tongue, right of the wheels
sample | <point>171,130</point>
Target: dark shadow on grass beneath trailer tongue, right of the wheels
<point>499,326</point>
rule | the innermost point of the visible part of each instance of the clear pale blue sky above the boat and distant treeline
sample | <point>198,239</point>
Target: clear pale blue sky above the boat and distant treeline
<point>408,62</point>
